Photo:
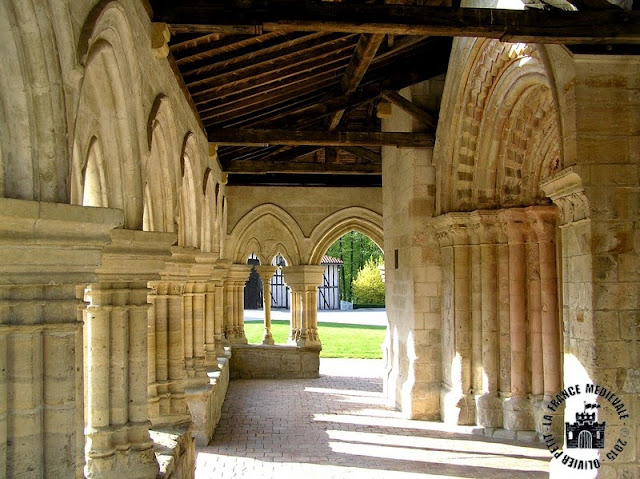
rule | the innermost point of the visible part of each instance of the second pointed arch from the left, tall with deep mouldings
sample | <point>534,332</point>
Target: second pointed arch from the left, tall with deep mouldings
<point>109,107</point>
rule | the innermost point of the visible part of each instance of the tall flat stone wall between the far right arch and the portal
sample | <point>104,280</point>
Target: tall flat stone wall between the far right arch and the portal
<point>413,342</point>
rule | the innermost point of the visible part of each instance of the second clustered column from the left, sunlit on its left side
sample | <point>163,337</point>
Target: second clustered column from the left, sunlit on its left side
<point>118,441</point>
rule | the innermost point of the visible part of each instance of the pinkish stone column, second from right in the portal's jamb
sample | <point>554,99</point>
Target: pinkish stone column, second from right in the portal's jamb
<point>518,414</point>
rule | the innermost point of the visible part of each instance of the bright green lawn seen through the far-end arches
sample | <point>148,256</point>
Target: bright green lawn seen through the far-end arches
<point>338,340</point>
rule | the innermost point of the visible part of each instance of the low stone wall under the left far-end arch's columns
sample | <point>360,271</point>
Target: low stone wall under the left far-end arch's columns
<point>257,361</point>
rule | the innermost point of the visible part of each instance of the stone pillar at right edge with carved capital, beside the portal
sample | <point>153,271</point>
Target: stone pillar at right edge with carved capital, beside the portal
<point>598,200</point>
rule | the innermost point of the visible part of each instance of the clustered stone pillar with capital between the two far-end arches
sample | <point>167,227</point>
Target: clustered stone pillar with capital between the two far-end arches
<point>304,281</point>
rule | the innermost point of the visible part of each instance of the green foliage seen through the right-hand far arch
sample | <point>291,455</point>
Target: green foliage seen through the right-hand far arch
<point>354,249</point>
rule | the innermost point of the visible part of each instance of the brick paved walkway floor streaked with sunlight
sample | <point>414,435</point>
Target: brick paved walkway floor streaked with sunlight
<point>337,426</point>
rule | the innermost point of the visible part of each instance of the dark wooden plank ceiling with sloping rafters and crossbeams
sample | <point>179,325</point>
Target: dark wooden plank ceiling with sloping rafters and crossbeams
<point>295,103</point>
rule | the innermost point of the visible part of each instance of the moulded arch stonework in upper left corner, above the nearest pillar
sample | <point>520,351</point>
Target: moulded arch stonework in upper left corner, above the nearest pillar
<point>33,121</point>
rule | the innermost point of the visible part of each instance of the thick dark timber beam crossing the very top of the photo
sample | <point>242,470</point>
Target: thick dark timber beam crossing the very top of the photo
<point>529,26</point>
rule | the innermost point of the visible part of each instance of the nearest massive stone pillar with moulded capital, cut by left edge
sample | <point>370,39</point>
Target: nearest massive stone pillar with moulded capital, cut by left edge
<point>46,249</point>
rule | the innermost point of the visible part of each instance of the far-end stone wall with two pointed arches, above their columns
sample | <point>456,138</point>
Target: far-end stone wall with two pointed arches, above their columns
<point>299,223</point>
